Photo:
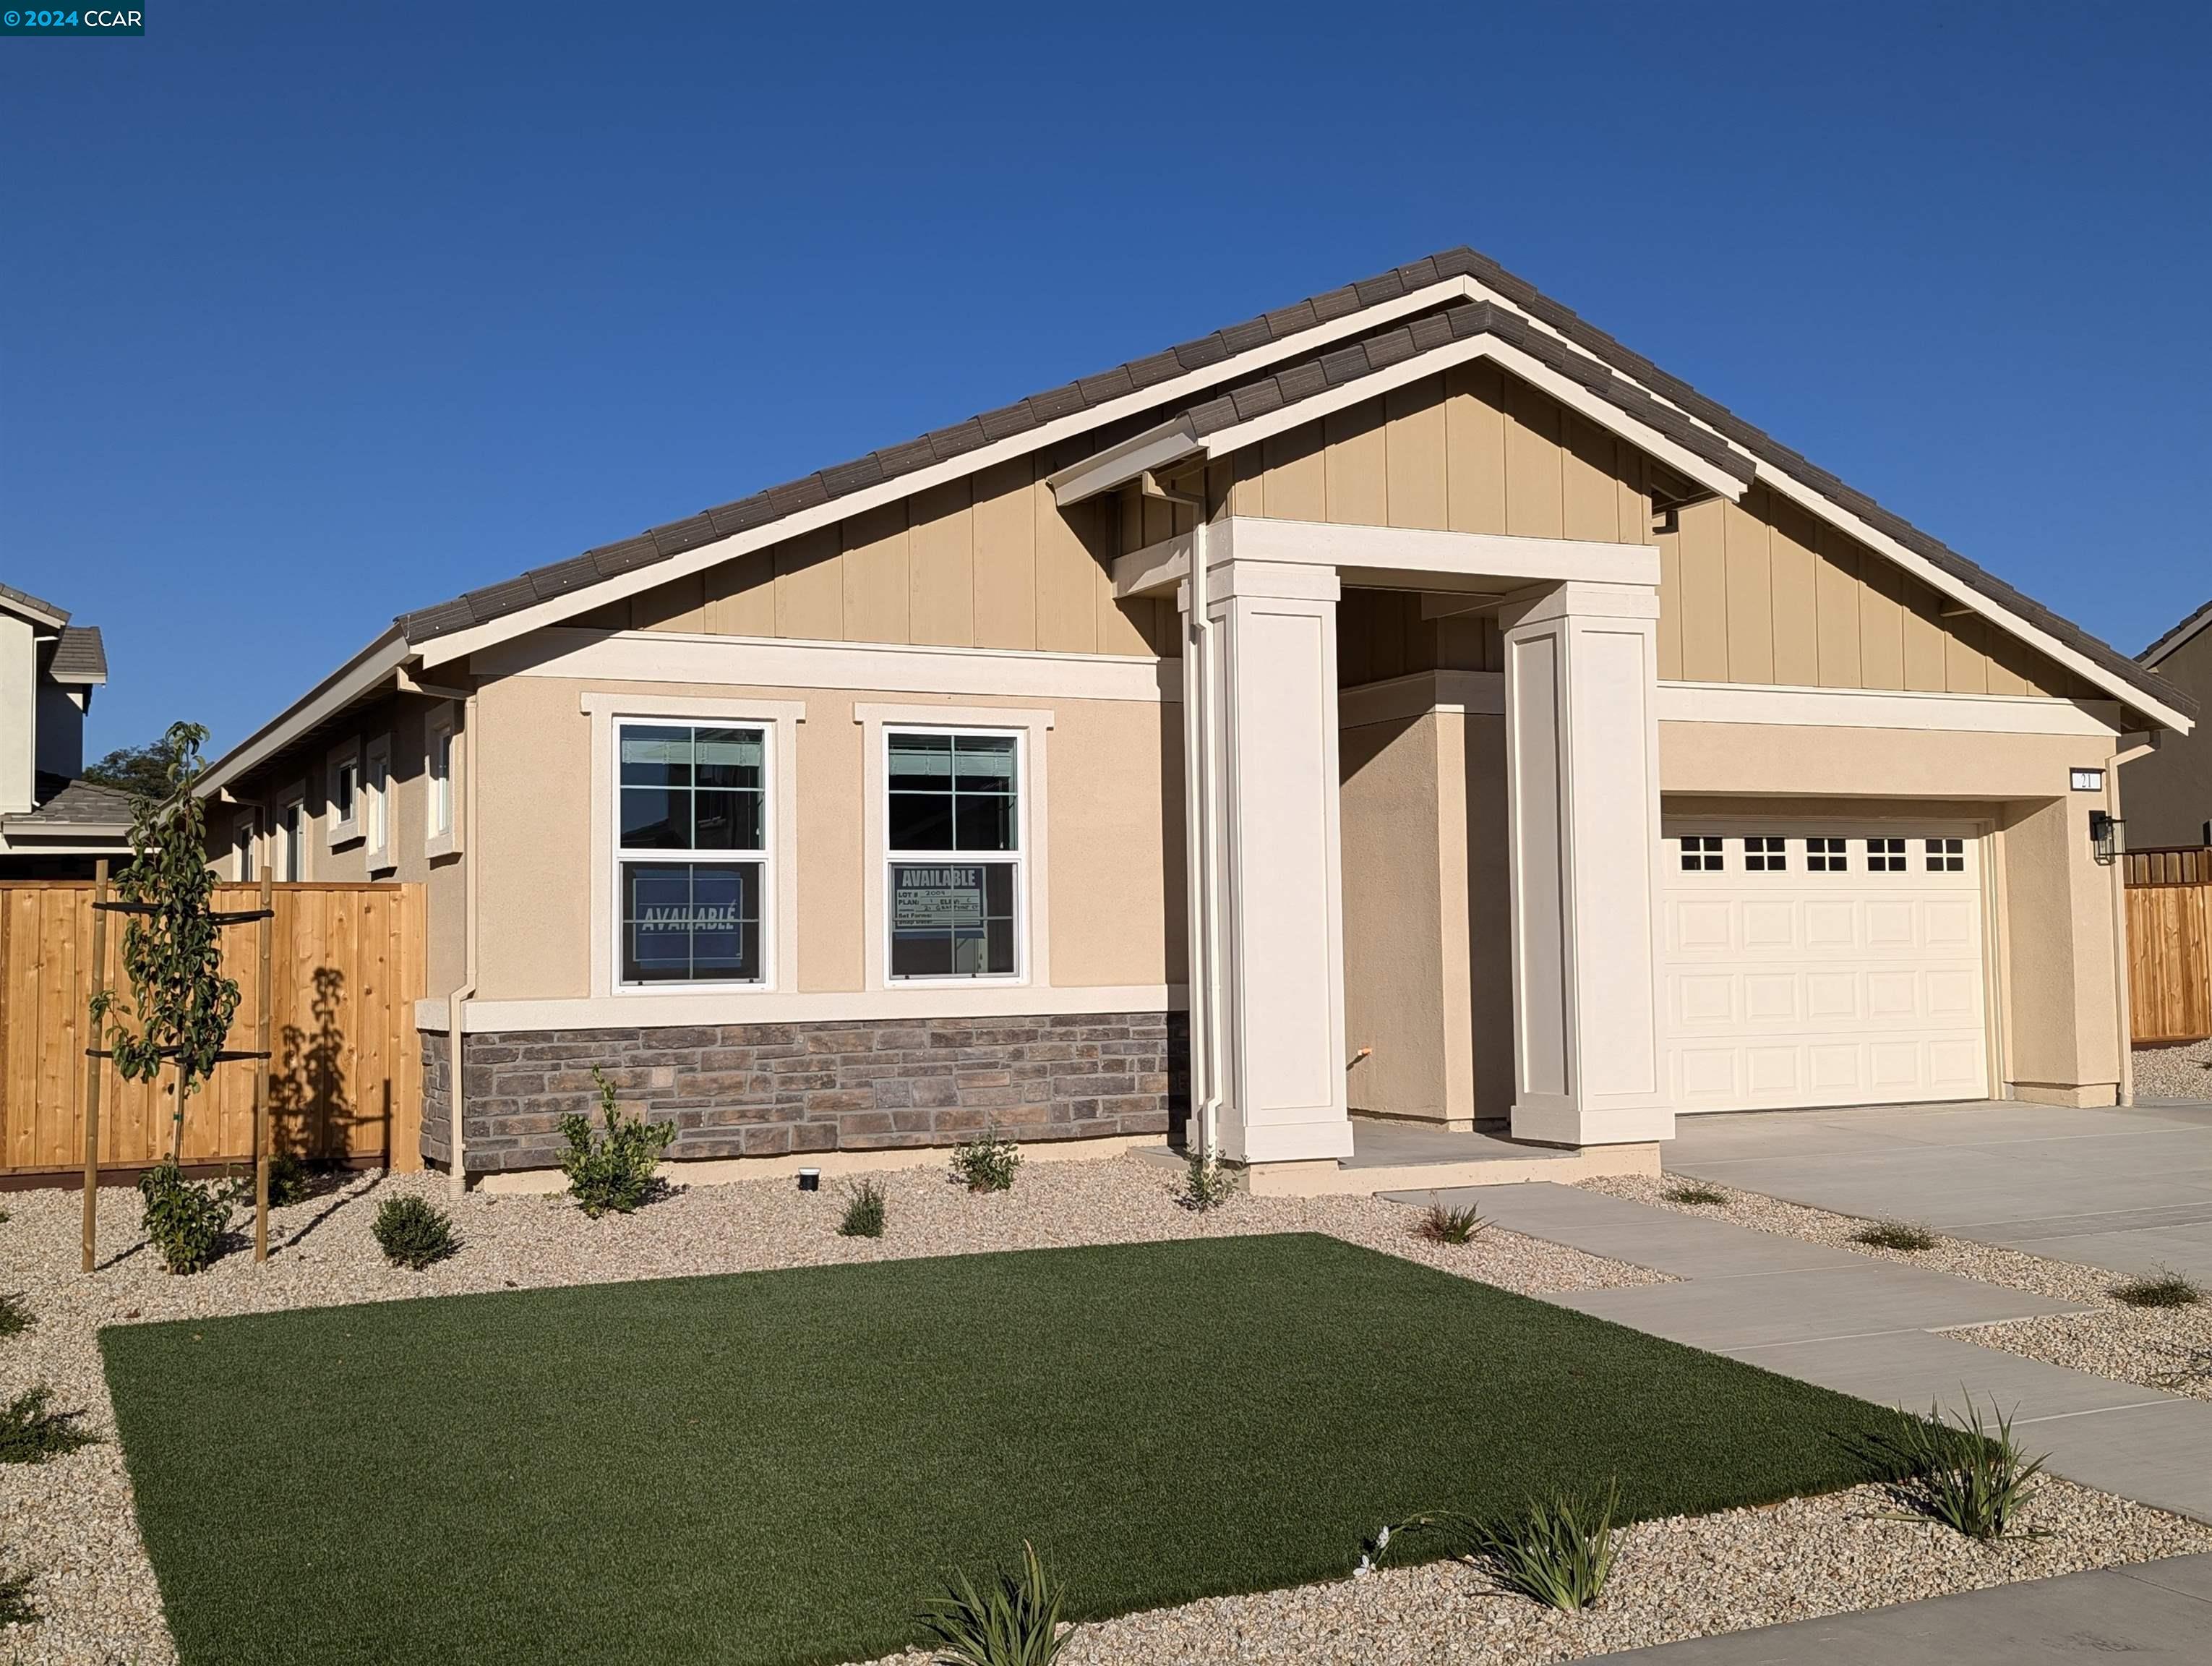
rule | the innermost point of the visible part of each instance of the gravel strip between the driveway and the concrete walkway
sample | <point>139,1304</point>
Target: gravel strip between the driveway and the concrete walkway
<point>2164,1349</point>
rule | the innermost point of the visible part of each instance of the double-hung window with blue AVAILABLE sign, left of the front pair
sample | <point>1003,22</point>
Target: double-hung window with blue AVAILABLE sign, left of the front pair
<point>691,853</point>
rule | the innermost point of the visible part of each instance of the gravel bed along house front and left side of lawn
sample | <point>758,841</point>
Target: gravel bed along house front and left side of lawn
<point>70,1521</point>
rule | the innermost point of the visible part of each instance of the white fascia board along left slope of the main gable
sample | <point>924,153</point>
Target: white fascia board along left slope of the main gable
<point>643,579</point>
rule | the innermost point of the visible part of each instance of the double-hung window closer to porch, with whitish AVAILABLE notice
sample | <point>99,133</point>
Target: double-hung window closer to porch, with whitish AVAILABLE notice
<point>954,853</point>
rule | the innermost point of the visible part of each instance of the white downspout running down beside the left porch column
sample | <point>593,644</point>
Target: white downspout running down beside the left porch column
<point>1200,824</point>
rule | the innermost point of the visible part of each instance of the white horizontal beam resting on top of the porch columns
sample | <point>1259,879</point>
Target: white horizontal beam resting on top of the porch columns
<point>1406,554</point>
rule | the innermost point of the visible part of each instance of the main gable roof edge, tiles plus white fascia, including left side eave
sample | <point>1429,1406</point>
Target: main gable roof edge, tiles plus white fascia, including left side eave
<point>1565,342</point>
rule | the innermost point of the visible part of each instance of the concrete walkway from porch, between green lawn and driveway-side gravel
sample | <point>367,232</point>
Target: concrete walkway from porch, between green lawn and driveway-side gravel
<point>1868,1329</point>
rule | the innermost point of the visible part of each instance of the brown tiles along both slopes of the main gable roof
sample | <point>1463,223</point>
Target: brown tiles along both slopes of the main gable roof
<point>775,503</point>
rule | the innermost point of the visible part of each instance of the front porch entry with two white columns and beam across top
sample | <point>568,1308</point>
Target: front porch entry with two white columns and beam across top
<point>1472,944</point>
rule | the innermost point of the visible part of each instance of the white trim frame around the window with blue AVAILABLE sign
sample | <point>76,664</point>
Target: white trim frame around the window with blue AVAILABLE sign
<point>780,933</point>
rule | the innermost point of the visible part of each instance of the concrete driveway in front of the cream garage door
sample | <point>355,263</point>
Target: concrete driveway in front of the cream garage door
<point>2114,1189</point>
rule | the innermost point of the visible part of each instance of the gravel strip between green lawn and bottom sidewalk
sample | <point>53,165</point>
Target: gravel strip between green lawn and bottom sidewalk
<point>1676,1579</point>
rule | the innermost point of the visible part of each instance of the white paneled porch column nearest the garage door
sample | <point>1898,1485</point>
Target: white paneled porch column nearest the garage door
<point>1583,815</point>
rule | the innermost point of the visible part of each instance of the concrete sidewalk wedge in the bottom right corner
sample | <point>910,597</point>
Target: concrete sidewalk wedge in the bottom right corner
<point>2149,1612</point>
